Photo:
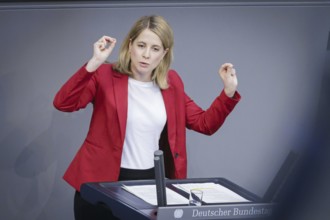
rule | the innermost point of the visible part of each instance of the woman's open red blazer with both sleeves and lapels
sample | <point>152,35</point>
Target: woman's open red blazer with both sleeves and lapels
<point>99,157</point>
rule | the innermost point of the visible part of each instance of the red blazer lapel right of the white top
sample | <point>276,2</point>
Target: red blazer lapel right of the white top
<point>171,116</point>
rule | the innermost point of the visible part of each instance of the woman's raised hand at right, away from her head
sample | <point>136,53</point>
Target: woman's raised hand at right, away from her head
<point>228,76</point>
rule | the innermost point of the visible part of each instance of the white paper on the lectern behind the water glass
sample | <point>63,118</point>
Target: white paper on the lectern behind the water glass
<point>213,193</point>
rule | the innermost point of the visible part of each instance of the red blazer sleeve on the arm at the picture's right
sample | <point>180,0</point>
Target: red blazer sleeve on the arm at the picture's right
<point>210,120</point>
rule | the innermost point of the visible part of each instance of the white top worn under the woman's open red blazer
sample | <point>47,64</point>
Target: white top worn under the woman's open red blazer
<point>146,118</point>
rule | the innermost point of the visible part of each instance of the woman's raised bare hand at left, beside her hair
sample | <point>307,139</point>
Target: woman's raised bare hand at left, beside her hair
<point>102,50</point>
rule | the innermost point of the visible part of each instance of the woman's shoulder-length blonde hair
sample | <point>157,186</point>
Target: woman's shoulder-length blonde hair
<point>161,28</point>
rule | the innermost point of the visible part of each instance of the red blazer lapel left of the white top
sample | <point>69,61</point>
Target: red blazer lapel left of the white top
<point>121,97</point>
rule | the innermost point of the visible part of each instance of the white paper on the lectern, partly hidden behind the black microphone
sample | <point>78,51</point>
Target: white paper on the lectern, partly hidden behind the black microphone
<point>148,194</point>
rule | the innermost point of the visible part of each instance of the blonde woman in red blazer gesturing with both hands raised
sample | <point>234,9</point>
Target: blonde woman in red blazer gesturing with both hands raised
<point>139,106</point>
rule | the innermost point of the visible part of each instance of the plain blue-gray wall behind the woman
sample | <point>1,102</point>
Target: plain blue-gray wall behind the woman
<point>278,51</point>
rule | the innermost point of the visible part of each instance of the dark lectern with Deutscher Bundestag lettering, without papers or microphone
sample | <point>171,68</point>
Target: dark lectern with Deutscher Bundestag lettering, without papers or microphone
<point>127,206</point>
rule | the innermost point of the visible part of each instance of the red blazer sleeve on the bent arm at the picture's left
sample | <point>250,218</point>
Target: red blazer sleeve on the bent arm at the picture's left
<point>77,92</point>
